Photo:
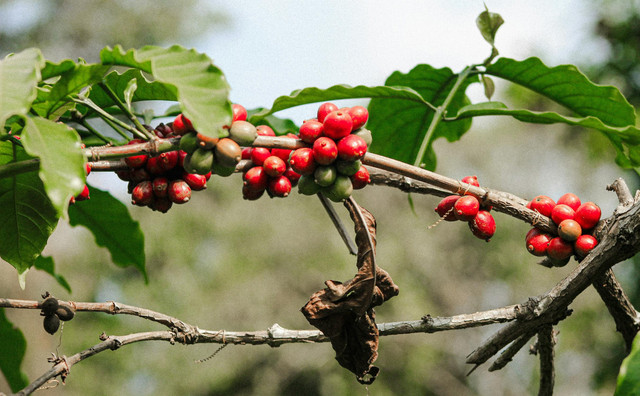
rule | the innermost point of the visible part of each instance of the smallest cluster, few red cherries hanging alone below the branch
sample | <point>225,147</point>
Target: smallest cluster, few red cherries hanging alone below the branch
<point>468,208</point>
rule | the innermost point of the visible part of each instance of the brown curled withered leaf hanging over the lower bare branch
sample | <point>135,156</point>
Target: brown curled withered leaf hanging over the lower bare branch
<point>344,311</point>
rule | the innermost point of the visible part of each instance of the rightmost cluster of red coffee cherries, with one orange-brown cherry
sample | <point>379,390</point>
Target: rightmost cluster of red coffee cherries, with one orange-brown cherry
<point>575,221</point>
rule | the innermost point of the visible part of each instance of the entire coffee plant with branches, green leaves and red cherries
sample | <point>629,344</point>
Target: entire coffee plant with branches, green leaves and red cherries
<point>49,143</point>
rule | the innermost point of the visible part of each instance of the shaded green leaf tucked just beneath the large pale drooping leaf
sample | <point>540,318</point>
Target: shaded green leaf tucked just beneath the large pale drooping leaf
<point>146,90</point>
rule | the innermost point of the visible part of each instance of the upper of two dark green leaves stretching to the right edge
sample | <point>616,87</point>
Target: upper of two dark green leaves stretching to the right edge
<point>567,86</point>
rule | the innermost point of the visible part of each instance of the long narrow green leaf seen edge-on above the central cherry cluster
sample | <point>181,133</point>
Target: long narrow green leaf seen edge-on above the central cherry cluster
<point>336,92</point>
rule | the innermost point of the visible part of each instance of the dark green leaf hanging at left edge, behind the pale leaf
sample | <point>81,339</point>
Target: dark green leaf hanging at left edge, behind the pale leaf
<point>27,216</point>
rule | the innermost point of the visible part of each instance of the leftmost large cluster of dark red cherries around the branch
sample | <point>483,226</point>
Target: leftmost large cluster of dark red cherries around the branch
<point>160,181</point>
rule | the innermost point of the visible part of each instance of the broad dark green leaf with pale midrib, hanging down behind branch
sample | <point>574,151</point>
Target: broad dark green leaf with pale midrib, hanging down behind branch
<point>399,126</point>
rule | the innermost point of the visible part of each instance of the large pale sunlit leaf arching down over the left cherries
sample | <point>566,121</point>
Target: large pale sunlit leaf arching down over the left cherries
<point>202,89</point>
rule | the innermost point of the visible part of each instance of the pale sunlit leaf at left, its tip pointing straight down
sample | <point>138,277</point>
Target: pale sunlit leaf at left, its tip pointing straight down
<point>61,160</point>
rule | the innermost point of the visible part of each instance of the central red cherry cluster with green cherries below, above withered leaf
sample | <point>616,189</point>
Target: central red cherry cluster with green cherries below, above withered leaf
<point>337,141</point>
